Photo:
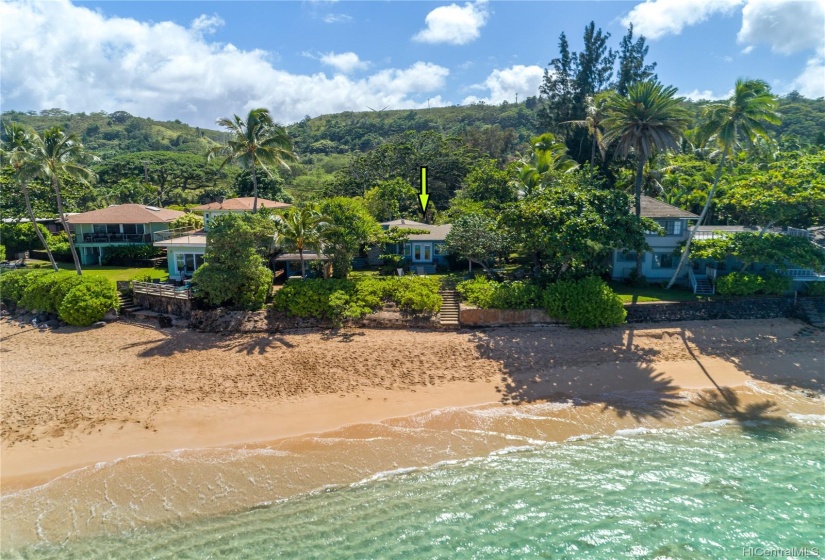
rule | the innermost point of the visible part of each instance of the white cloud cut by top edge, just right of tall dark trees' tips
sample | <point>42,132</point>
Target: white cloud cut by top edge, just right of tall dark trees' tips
<point>657,18</point>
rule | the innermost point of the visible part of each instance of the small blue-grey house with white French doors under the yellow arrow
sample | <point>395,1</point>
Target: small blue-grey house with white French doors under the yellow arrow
<point>423,252</point>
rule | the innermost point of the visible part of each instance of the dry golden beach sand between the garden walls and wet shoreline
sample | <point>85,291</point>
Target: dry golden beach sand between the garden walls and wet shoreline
<point>76,397</point>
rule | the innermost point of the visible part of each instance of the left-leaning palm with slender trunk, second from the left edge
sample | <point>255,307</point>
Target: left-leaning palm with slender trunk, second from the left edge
<point>55,154</point>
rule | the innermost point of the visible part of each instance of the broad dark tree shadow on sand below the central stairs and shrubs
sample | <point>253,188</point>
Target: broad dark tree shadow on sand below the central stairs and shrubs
<point>609,370</point>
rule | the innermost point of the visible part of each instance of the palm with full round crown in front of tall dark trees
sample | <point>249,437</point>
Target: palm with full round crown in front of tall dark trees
<point>647,121</point>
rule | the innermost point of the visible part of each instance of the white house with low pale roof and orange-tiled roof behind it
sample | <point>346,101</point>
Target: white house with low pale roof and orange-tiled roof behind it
<point>185,248</point>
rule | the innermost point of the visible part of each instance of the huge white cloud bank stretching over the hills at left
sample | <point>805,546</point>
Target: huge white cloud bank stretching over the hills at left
<point>166,71</point>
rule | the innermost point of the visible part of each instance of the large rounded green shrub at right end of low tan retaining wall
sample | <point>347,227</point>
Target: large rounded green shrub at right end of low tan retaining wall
<point>586,303</point>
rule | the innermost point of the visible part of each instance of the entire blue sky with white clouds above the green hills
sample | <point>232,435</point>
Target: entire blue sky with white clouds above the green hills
<point>198,61</point>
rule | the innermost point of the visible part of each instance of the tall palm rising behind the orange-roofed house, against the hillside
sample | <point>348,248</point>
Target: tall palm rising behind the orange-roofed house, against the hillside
<point>256,141</point>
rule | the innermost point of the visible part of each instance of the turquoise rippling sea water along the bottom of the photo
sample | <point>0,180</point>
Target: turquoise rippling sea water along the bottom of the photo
<point>700,492</point>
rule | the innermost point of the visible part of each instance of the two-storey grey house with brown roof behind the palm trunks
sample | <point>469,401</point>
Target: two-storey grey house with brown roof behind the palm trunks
<point>660,263</point>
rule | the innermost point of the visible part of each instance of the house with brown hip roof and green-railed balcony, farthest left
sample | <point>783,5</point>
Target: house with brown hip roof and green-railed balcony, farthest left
<point>117,225</point>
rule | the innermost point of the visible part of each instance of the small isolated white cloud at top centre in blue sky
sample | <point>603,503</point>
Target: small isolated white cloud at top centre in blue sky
<point>454,24</point>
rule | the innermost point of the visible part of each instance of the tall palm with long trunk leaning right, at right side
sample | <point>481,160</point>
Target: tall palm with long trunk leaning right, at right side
<point>732,123</point>
